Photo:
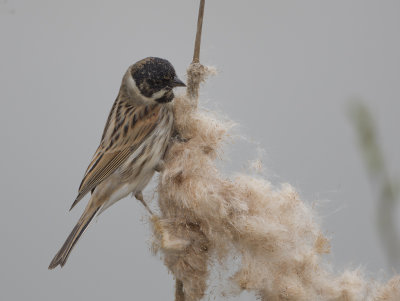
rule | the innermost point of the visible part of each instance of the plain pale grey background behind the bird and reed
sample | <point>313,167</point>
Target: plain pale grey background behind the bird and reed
<point>287,70</point>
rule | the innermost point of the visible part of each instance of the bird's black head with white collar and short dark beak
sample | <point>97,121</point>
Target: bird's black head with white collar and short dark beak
<point>152,79</point>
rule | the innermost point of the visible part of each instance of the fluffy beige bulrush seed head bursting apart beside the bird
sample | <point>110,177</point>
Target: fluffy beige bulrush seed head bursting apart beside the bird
<point>205,216</point>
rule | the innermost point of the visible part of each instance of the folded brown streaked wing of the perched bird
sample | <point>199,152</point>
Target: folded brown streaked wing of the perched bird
<point>126,135</point>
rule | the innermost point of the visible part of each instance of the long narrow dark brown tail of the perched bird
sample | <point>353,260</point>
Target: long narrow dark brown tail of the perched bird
<point>62,255</point>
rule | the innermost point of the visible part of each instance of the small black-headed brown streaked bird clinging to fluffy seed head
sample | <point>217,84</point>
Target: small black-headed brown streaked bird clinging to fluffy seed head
<point>134,142</point>
